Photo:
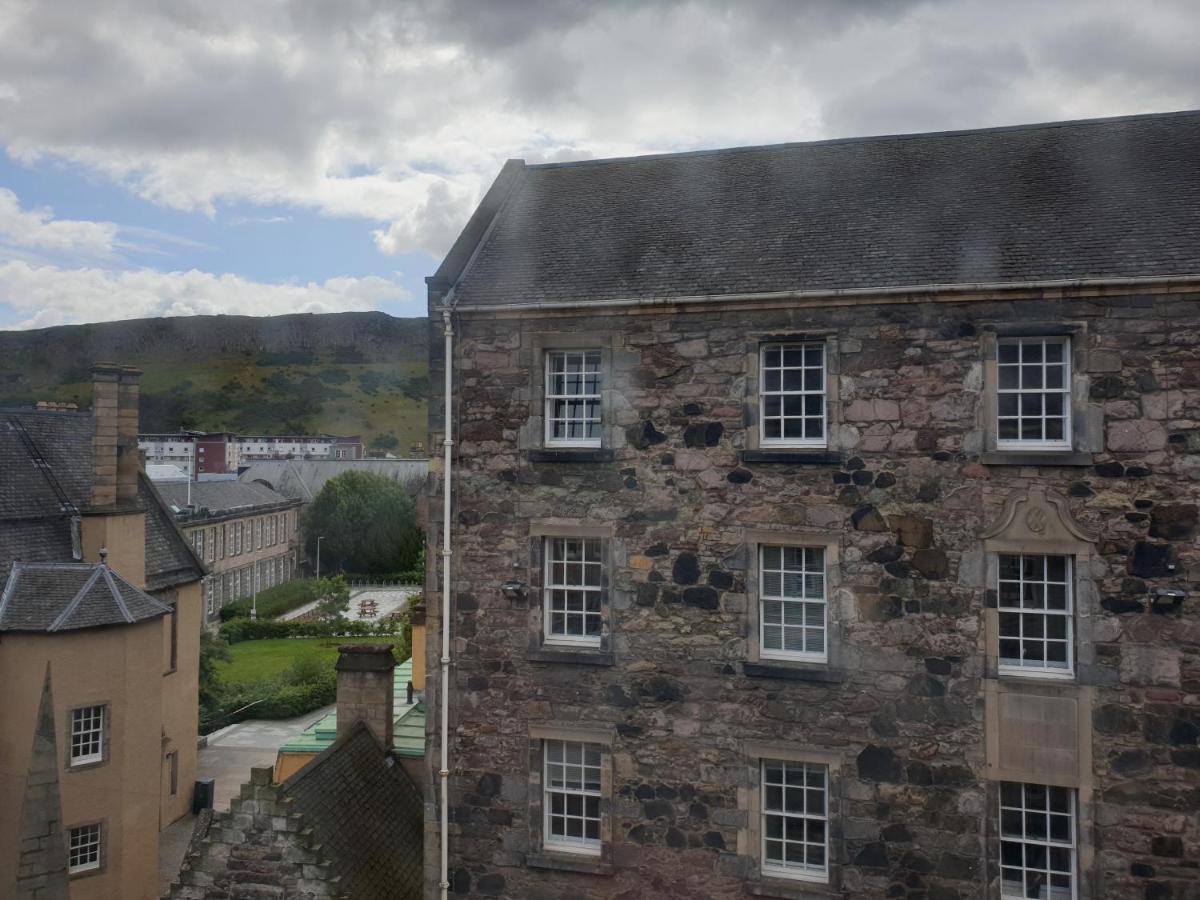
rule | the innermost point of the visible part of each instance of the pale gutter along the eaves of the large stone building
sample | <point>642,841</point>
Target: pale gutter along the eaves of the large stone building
<point>837,293</point>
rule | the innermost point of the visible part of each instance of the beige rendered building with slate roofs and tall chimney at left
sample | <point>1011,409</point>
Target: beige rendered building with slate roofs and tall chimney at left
<point>100,620</point>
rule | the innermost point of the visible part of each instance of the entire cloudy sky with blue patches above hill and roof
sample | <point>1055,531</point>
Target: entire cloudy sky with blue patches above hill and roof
<point>207,157</point>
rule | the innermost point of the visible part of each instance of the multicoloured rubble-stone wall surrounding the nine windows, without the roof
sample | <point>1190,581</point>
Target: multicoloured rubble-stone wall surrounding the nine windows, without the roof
<point>907,497</point>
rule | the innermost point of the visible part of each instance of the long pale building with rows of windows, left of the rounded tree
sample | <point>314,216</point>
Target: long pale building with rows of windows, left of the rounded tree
<point>245,533</point>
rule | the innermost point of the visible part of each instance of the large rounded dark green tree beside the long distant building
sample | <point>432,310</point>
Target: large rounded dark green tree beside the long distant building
<point>368,526</point>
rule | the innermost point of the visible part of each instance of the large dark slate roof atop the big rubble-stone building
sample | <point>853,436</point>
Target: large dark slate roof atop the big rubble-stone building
<point>1106,199</point>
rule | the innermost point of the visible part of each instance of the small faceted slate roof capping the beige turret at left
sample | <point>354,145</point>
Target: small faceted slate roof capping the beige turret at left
<point>64,597</point>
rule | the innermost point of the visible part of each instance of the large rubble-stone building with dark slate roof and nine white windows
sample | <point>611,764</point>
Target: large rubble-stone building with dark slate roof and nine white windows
<point>825,521</point>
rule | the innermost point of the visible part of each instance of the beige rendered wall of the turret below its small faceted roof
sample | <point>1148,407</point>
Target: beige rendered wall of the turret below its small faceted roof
<point>118,667</point>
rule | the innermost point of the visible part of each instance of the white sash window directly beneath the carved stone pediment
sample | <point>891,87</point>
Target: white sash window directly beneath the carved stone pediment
<point>1035,611</point>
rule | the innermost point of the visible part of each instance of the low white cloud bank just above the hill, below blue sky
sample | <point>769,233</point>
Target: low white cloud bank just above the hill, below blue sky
<point>49,296</point>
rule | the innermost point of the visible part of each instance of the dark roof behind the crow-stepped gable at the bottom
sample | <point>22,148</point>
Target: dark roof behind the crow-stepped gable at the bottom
<point>367,815</point>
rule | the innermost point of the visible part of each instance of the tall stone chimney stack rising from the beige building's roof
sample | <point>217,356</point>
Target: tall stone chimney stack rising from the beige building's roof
<point>115,446</point>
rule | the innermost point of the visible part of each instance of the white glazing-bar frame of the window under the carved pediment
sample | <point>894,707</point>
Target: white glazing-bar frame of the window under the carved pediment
<point>1018,668</point>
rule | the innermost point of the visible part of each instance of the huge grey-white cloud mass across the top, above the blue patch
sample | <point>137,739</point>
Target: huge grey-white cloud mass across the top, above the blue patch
<point>403,112</point>
